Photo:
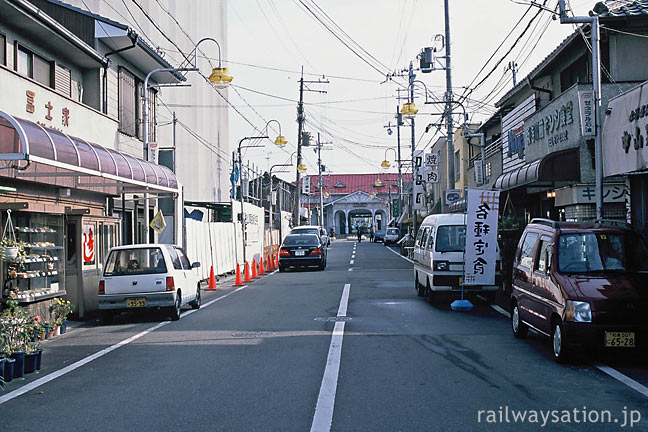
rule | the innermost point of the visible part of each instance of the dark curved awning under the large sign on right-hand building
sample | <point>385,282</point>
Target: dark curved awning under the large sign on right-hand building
<point>558,166</point>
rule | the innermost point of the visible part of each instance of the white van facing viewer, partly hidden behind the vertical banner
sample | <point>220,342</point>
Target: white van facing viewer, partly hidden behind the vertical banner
<point>439,258</point>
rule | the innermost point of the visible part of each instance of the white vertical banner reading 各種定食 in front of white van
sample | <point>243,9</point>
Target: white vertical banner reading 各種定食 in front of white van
<point>481,237</point>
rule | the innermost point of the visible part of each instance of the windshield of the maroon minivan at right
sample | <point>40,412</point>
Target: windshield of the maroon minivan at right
<point>592,252</point>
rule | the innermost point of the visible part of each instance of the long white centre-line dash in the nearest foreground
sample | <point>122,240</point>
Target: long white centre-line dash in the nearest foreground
<point>323,418</point>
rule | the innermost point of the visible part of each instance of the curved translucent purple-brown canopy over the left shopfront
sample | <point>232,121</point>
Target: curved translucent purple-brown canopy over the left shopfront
<point>46,155</point>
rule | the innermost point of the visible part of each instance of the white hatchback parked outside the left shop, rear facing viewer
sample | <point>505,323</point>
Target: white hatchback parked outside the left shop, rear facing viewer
<point>148,276</point>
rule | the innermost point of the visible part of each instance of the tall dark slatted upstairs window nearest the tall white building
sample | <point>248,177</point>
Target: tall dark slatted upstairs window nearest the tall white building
<point>131,106</point>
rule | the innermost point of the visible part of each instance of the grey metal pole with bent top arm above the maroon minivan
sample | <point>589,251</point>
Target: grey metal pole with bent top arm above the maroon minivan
<point>593,21</point>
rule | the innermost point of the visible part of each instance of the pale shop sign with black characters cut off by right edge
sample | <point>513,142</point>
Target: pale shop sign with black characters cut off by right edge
<point>625,133</point>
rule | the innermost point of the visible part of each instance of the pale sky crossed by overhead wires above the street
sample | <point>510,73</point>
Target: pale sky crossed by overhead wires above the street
<point>270,41</point>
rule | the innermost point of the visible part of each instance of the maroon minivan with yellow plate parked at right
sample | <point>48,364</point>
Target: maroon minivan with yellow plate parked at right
<point>584,285</point>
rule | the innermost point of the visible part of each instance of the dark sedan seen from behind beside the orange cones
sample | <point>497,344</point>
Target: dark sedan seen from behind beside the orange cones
<point>302,250</point>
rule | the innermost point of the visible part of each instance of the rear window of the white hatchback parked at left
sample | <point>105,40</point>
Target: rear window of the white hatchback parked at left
<point>135,261</point>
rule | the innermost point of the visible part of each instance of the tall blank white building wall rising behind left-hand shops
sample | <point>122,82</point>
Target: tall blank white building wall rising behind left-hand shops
<point>202,167</point>
